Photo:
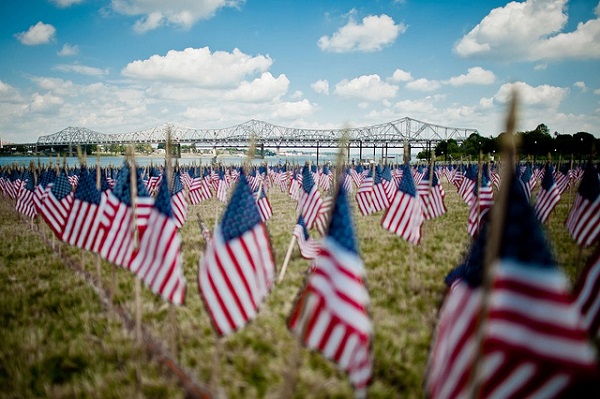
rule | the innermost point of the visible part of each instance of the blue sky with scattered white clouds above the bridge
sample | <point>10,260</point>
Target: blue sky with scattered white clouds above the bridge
<point>117,66</point>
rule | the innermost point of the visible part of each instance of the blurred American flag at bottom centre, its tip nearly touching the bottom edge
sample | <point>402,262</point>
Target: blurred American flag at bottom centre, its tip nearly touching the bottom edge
<point>331,311</point>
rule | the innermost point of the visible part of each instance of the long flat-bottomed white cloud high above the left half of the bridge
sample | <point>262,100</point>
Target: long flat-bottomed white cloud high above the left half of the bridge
<point>199,67</point>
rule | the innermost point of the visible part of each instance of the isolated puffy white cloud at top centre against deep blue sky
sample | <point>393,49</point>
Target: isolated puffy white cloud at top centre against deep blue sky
<point>373,34</point>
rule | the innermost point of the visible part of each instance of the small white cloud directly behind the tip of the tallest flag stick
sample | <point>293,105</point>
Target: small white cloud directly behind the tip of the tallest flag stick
<point>542,96</point>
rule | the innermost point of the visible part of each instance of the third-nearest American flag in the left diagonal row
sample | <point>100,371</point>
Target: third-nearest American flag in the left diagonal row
<point>84,219</point>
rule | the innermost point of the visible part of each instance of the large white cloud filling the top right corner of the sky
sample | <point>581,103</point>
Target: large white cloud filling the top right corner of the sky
<point>532,31</point>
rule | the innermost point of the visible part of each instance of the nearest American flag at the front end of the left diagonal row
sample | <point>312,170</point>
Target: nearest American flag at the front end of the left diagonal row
<point>157,260</point>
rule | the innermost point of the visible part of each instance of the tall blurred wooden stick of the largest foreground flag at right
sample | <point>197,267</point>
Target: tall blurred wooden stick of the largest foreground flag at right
<point>492,248</point>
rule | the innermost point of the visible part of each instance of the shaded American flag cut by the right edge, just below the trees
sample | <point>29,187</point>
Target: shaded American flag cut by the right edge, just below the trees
<point>583,221</point>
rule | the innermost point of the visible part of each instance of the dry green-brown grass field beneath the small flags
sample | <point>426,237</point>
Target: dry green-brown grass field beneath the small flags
<point>58,340</point>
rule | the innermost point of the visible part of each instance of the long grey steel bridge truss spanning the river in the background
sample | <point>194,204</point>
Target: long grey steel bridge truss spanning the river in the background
<point>391,134</point>
